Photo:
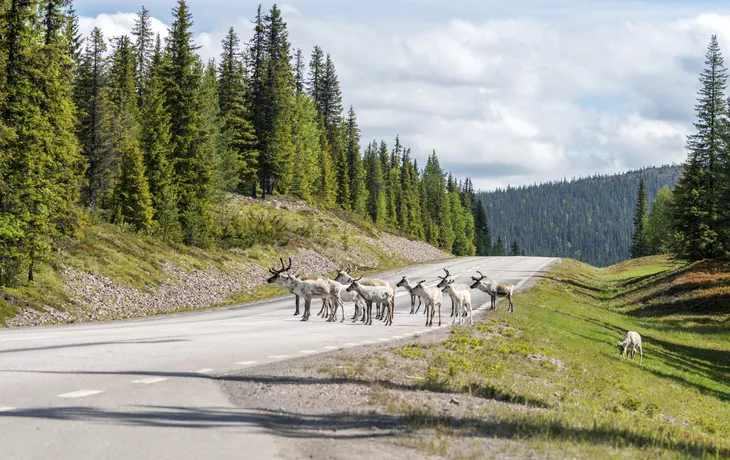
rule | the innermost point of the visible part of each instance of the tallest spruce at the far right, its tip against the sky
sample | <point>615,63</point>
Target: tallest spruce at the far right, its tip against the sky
<point>697,194</point>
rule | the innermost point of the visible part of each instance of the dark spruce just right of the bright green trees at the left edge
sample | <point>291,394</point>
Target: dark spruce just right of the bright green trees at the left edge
<point>93,131</point>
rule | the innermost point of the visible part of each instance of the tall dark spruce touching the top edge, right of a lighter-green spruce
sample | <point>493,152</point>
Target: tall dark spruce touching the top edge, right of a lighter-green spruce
<point>192,166</point>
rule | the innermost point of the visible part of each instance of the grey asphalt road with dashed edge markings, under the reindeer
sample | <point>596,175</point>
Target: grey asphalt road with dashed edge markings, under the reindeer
<point>147,388</point>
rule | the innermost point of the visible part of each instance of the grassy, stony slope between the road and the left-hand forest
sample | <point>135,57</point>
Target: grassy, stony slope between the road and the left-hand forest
<point>110,274</point>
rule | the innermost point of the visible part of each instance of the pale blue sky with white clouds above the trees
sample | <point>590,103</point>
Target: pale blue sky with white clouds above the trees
<point>515,92</point>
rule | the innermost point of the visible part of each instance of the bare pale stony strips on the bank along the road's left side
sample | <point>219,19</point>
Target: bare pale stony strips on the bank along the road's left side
<point>98,298</point>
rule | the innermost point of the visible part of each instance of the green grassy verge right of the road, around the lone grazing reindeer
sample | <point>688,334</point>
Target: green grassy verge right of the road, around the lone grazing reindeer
<point>556,356</point>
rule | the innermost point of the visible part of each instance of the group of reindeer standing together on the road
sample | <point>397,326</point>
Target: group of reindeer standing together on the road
<point>365,292</point>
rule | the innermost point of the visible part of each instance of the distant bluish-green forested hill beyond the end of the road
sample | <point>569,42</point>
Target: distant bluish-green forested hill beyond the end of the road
<point>588,219</point>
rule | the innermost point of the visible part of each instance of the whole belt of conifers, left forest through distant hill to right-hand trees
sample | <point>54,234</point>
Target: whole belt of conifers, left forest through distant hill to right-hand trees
<point>139,132</point>
